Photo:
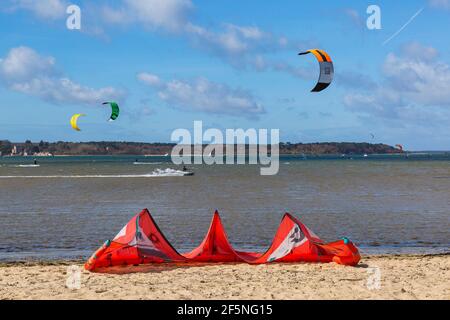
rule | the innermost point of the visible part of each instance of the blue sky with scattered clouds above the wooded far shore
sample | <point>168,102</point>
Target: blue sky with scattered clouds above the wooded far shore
<point>230,64</point>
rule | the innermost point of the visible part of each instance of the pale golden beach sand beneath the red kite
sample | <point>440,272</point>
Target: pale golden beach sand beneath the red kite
<point>401,277</point>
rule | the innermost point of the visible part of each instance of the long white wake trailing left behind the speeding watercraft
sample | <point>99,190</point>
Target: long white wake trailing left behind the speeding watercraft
<point>157,173</point>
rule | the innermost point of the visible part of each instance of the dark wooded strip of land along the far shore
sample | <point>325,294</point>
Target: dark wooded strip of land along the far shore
<point>137,148</point>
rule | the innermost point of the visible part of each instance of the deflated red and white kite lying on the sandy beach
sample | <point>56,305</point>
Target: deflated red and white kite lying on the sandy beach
<point>141,242</point>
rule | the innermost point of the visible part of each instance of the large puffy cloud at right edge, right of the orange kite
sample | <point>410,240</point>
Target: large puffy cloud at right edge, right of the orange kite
<point>414,87</point>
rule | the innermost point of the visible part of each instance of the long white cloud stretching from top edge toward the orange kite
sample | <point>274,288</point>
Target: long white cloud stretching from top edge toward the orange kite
<point>239,45</point>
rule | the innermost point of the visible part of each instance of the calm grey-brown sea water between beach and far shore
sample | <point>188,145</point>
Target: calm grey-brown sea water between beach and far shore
<point>68,206</point>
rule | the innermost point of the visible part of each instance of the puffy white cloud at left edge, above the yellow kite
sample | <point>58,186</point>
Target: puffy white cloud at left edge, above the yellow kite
<point>24,70</point>
